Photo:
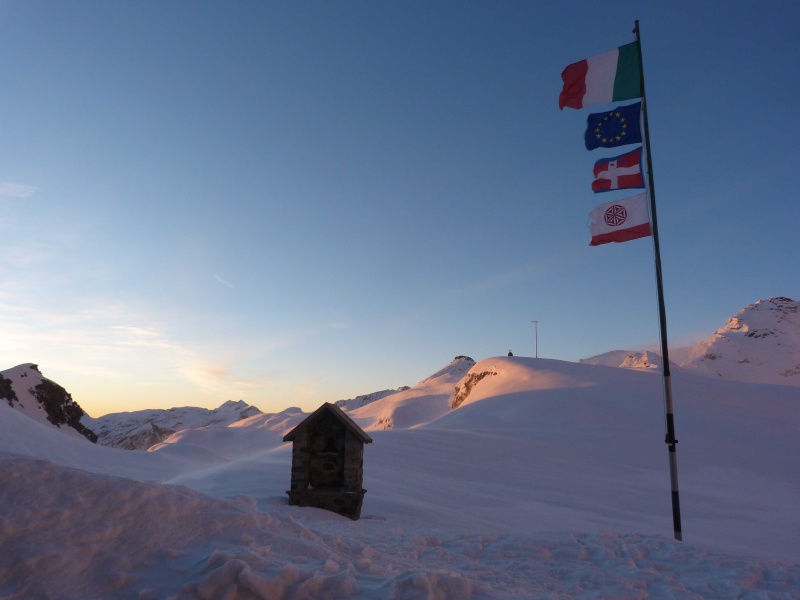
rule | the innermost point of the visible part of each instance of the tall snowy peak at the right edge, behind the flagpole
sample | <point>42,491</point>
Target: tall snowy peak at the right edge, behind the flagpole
<point>759,344</point>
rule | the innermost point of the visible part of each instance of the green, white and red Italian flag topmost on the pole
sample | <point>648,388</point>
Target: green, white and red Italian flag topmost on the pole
<point>609,77</point>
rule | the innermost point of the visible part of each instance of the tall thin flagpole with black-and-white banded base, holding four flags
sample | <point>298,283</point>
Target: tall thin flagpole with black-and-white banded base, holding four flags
<point>662,314</point>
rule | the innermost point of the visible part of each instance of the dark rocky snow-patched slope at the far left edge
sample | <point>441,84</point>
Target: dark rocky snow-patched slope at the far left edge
<point>26,389</point>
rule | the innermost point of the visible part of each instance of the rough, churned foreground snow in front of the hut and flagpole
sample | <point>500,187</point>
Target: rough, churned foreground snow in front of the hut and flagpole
<point>90,535</point>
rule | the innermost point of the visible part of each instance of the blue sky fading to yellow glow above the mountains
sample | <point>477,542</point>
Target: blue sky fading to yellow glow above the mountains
<point>294,203</point>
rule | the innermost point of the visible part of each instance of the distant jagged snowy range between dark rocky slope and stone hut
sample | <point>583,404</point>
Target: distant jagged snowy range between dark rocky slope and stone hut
<point>139,430</point>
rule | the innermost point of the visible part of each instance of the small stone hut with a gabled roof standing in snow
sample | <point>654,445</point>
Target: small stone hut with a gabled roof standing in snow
<point>328,462</point>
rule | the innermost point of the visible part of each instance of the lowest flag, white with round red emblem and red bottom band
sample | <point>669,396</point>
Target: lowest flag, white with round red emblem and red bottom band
<point>620,221</point>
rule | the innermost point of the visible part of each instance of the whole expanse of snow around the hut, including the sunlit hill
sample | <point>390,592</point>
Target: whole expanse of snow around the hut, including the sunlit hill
<point>549,480</point>
